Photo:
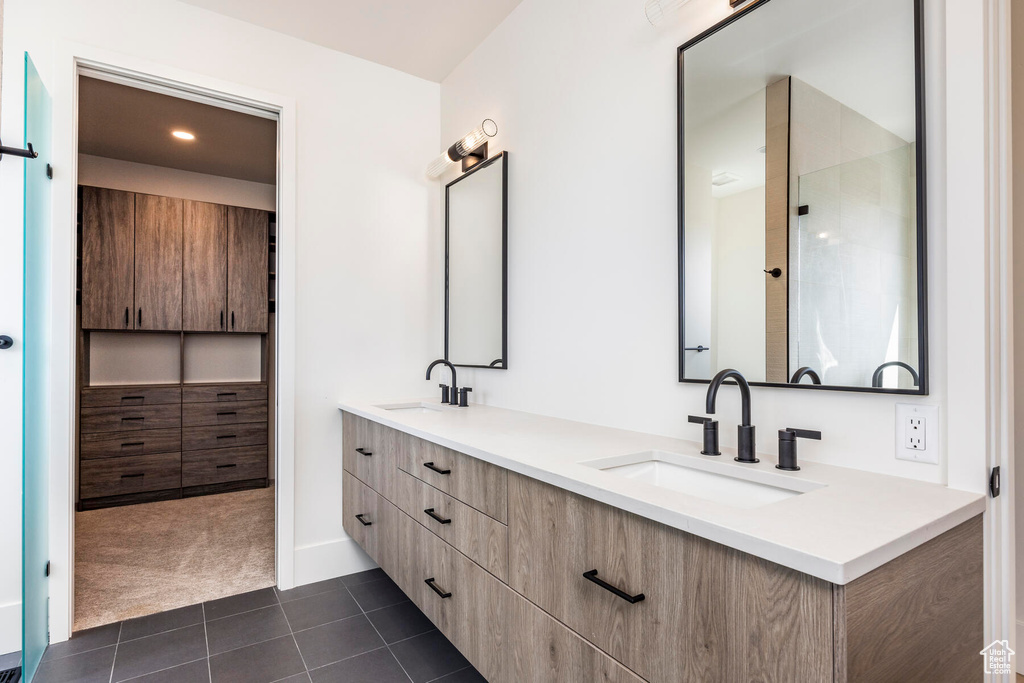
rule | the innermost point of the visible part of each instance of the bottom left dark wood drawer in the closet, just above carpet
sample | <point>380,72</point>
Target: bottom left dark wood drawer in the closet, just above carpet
<point>133,475</point>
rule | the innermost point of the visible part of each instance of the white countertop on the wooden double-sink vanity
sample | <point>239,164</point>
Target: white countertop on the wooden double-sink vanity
<point>848,524</point>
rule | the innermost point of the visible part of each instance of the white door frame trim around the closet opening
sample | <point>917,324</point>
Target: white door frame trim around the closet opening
<point>69,59</point>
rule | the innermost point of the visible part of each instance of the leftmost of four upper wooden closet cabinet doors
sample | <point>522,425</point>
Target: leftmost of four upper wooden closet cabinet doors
<point>108,260</point>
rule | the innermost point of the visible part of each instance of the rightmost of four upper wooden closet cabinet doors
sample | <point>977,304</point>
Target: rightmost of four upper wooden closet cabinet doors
<point>247,270</point>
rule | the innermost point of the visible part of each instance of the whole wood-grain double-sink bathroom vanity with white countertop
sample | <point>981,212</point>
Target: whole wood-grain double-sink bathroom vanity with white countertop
<point>550,550</point>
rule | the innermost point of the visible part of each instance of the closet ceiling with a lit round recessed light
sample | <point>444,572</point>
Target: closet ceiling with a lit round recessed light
<point>121,122</point>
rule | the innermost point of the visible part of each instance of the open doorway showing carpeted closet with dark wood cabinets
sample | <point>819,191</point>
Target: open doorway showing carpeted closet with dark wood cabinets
<point>176,372</point>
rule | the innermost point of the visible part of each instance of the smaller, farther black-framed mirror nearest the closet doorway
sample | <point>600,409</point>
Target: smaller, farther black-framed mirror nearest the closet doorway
<point>477,267</point>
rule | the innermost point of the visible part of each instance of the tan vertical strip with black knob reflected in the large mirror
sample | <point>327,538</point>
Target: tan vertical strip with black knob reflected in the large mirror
<point>778,231</point>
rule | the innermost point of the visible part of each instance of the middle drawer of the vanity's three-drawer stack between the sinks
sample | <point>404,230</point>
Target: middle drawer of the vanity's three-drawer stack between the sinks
<point>481,538</point>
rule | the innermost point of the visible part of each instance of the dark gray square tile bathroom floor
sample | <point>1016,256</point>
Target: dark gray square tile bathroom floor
<point>357,629</point>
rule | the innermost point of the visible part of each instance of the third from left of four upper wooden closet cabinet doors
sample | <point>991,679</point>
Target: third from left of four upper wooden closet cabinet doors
<point>205,275</point>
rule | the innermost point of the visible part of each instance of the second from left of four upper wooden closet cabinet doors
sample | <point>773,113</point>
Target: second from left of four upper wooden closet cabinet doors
<point>158,263</point>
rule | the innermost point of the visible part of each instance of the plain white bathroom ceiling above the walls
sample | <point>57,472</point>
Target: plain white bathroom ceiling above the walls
<point>425,39</point>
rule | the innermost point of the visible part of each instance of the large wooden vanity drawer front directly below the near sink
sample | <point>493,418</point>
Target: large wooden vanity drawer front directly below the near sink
<point>708,613</point>
